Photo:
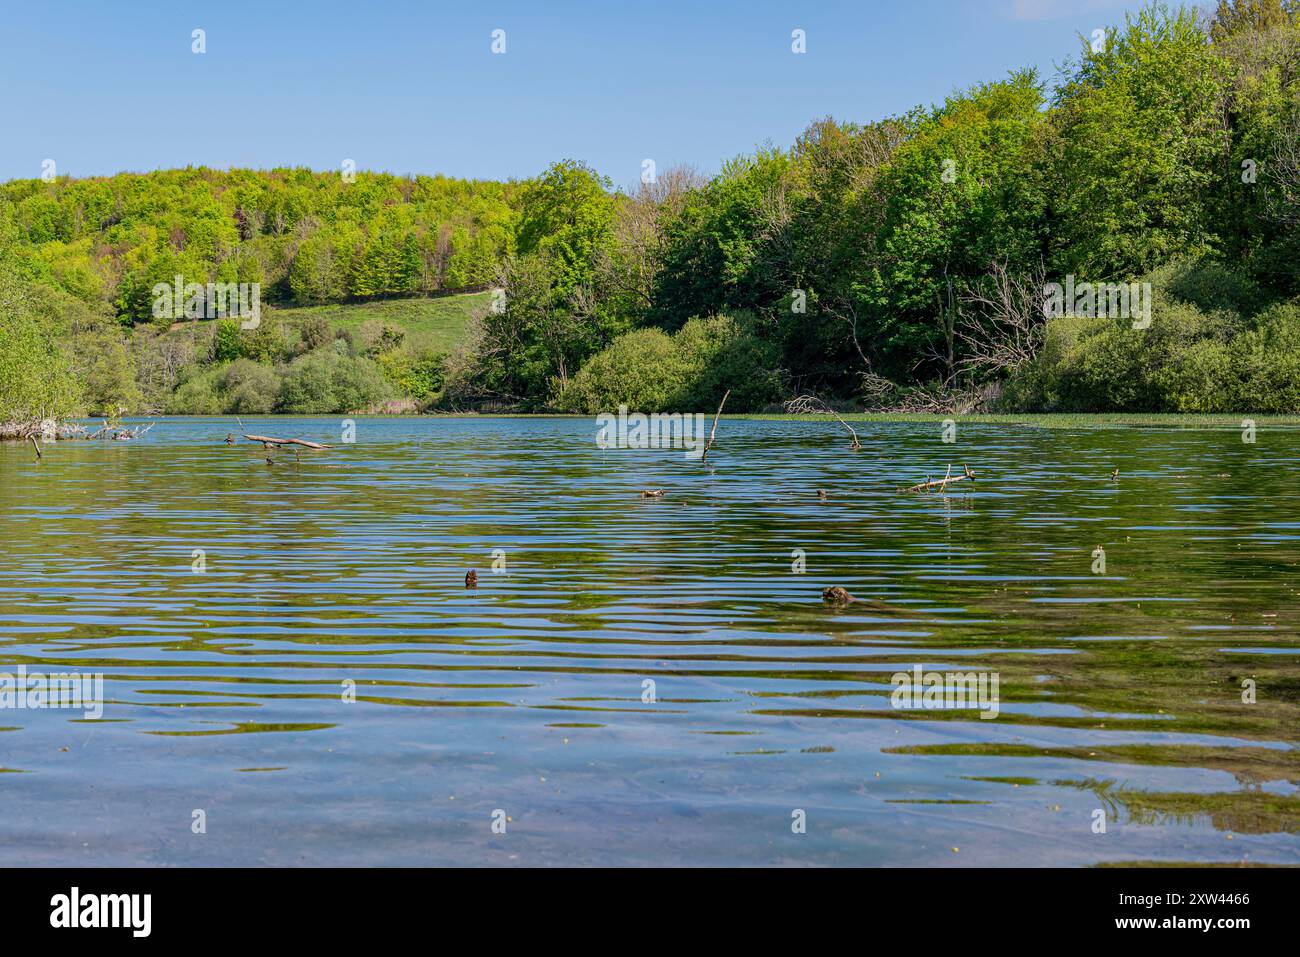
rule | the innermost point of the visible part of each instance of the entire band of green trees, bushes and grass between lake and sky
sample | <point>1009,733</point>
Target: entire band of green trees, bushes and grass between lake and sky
<point>1124,240</point>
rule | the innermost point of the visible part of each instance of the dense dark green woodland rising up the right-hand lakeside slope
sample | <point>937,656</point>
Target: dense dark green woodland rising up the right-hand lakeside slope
<point>905,262</point>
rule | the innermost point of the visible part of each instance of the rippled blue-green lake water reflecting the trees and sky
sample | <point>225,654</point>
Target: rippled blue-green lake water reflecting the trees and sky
<point>226,690</point>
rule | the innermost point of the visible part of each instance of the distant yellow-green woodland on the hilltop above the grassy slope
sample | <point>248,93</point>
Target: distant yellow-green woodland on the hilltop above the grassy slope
<point>306,237</point>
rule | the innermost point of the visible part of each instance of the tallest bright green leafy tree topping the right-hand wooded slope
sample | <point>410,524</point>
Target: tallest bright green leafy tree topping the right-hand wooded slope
<point>1141,149</point>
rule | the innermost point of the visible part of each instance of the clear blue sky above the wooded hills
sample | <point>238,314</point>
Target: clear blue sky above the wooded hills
<point>414,88</point>
